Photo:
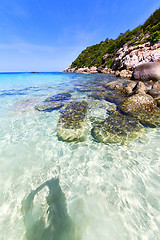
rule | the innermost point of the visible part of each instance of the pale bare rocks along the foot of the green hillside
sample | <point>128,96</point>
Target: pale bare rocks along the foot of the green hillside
<point>127,59</point>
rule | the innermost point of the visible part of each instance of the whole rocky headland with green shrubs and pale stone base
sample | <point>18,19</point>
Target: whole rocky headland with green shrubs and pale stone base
<point>121,55</point>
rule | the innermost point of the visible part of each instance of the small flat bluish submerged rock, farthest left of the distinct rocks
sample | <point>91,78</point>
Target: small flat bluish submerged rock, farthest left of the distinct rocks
<point>49,106</point>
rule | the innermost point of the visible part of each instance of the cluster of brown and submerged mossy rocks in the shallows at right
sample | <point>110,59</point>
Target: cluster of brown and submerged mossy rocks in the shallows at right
<point>136,108</point>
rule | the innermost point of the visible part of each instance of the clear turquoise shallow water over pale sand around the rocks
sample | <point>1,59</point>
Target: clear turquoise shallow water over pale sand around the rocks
<point>112,191</point>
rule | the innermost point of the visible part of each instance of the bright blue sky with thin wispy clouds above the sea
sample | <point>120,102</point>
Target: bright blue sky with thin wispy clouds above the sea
<point>48,35</point>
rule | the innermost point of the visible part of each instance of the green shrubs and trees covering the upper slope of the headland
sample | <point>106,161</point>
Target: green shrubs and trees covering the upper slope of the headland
<point>104,53</point>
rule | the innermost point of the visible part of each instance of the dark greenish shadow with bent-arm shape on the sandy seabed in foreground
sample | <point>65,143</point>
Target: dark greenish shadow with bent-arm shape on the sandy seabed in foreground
<point>56,224</point>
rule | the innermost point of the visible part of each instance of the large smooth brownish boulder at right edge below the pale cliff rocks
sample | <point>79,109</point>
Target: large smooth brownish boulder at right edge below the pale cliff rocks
<point>147,71</point>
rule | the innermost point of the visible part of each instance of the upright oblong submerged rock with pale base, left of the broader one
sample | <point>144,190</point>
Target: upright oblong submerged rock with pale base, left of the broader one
<point>72,125</point>
